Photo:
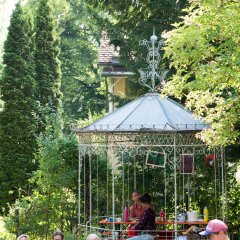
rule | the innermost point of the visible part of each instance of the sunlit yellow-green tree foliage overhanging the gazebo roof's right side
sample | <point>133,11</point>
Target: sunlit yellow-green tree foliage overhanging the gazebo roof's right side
<point>204,51</point>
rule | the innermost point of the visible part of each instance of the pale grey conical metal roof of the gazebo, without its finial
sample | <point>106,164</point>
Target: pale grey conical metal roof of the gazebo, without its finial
<point>148,113</point>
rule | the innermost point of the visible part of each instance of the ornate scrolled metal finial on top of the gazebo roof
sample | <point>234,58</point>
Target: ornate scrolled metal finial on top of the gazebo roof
<point>150,75</point>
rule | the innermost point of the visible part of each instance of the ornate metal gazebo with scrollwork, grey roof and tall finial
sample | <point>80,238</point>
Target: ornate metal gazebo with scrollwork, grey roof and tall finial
<point>148,132</point>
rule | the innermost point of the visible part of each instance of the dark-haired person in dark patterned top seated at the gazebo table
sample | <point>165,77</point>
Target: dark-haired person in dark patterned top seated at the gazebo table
<point>147,222</point>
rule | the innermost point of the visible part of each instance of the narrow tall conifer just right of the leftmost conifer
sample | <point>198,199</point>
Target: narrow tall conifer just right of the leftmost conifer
<point>48,72</point>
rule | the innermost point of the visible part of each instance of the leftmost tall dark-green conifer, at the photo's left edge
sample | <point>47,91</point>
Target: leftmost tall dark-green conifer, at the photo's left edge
<point>18,118</point>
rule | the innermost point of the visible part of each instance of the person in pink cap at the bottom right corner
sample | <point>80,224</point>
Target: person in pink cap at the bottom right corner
<point>216,230</point>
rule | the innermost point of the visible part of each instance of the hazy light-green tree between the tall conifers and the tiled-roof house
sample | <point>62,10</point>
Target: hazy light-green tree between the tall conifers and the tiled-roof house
<point>79,53</point>
